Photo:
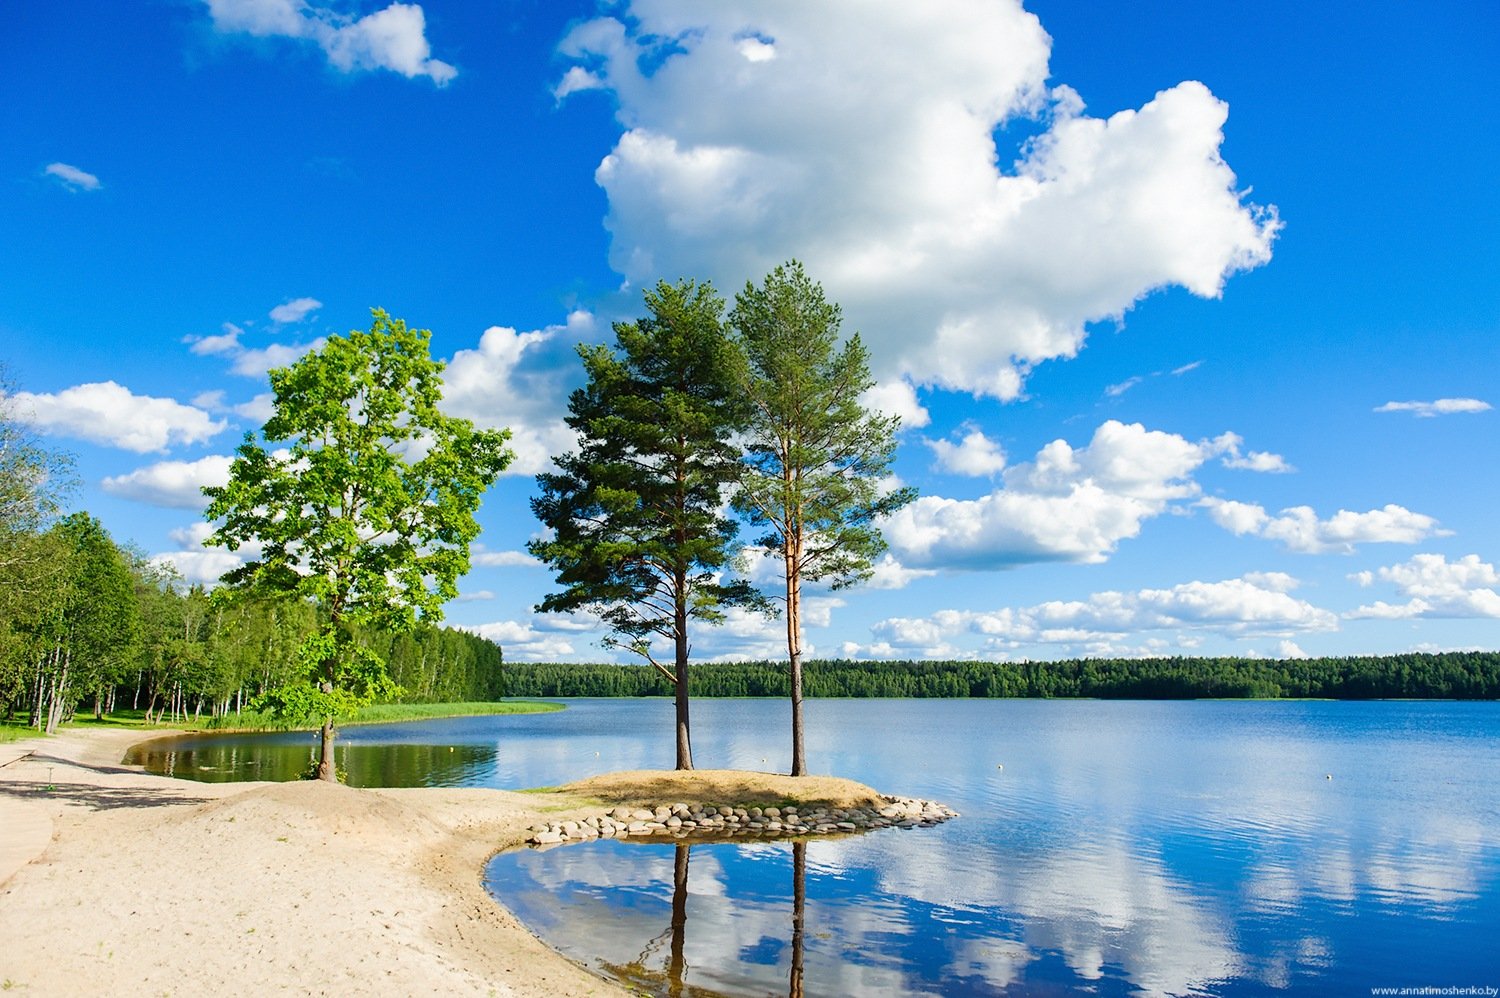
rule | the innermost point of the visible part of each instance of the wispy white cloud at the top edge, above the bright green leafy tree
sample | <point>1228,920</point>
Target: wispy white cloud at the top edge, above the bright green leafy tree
<point>394,38</point>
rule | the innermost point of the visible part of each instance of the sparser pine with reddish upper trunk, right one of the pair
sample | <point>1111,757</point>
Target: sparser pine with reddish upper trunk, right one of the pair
<point>817,460</point>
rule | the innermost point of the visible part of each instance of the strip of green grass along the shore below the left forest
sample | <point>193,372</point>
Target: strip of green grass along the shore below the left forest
<point>17,729</point>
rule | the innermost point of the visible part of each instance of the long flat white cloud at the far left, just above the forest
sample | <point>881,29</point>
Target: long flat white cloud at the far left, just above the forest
<point>112,415</point>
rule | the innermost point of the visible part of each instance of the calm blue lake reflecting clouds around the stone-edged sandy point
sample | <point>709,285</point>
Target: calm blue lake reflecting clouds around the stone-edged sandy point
<point>1105,847</point>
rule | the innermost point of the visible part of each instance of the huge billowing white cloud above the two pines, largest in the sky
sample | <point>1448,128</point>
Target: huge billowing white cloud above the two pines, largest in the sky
<point>860,137</point>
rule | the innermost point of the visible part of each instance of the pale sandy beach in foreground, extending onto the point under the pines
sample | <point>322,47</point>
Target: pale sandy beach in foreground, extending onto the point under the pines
<point>118,882</point>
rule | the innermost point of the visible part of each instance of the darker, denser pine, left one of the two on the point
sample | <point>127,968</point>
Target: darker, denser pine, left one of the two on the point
<point>637,514</point>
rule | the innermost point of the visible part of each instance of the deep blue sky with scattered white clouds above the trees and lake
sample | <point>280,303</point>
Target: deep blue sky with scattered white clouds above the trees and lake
<point>1190,308</point>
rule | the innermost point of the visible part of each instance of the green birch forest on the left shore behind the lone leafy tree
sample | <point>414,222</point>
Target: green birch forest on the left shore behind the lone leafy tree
<point>91,625</point>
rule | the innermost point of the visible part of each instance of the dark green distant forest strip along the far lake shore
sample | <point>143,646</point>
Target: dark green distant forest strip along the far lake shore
<point>1447,676</point>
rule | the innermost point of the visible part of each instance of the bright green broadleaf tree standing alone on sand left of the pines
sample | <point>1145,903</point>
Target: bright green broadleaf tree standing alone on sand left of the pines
<point>367,510</point>
